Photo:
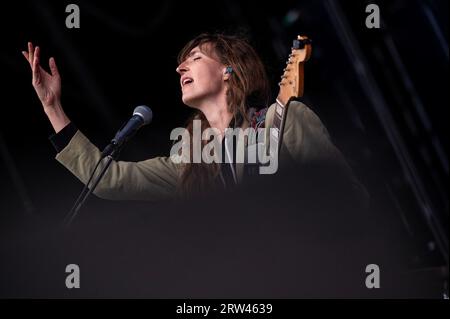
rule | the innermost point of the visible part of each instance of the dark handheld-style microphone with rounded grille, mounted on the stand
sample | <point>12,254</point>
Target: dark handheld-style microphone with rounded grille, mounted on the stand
<point>142,115</point>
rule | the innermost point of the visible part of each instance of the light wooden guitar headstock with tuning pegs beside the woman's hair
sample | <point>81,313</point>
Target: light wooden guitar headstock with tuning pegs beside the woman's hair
<point>292,80</point>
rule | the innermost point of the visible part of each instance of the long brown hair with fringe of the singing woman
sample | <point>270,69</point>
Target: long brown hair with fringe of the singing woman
<point>248,87</point>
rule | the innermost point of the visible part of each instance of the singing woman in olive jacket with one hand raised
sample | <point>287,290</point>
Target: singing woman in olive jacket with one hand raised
<point>223,79</point>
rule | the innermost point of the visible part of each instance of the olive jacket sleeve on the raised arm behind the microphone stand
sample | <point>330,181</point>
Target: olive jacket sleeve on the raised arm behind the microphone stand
<point>152,179</point>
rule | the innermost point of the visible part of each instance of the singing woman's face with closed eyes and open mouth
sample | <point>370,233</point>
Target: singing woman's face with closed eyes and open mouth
<point>202,77</point>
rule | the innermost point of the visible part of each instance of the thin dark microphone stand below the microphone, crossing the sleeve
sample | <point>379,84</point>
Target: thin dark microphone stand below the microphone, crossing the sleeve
<point>114,153</point>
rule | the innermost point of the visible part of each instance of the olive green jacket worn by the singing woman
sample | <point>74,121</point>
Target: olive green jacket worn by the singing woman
<point>305,140</point>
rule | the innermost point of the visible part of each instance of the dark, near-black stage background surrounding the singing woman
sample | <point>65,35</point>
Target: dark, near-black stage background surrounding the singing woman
<point>382,94</point>
